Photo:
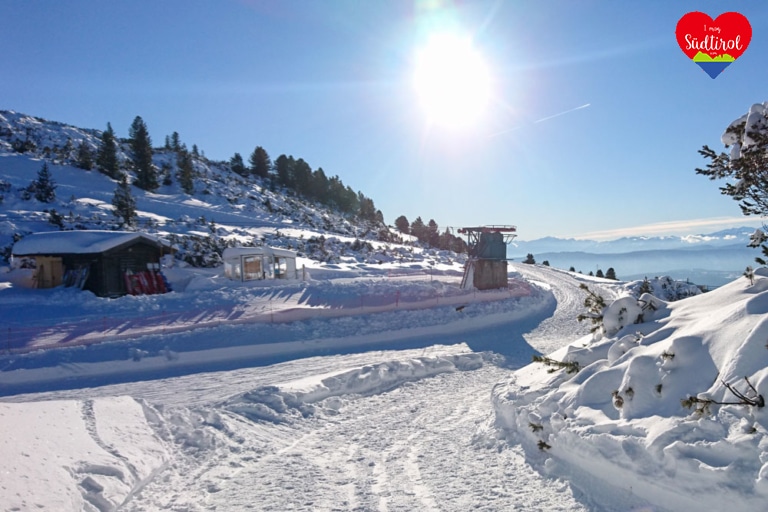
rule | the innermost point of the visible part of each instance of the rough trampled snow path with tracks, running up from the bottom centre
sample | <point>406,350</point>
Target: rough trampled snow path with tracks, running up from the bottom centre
<point>413,447</point>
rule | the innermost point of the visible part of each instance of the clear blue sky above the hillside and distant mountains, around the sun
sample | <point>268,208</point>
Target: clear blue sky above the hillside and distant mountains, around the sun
<point>331,82</point>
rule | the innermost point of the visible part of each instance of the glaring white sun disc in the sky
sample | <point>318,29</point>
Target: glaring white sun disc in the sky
<point>452,81</point>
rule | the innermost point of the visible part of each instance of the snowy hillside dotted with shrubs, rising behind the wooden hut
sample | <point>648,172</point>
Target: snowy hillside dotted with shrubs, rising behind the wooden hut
<point>224,209</point>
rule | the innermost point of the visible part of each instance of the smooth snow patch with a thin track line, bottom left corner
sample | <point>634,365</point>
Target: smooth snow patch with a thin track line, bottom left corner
<point>76,455</point>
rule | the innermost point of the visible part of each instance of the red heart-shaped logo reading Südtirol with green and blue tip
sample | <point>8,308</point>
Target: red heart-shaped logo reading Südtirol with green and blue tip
<point>713,44</point>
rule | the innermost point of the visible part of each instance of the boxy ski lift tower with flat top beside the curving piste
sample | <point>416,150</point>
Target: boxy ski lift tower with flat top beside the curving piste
<point>486,268</point>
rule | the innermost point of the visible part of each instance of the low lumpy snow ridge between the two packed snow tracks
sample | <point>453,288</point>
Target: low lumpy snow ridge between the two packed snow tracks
<point>302,398</point>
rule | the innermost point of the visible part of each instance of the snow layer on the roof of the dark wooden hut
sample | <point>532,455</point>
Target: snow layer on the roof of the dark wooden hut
<point>77,242</point>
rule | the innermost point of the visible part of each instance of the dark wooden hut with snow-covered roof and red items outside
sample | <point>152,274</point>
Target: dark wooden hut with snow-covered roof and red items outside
<point>108,263</point>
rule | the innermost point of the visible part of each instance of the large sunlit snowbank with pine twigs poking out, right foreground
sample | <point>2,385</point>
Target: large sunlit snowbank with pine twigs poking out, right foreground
<point>640,414</point>
